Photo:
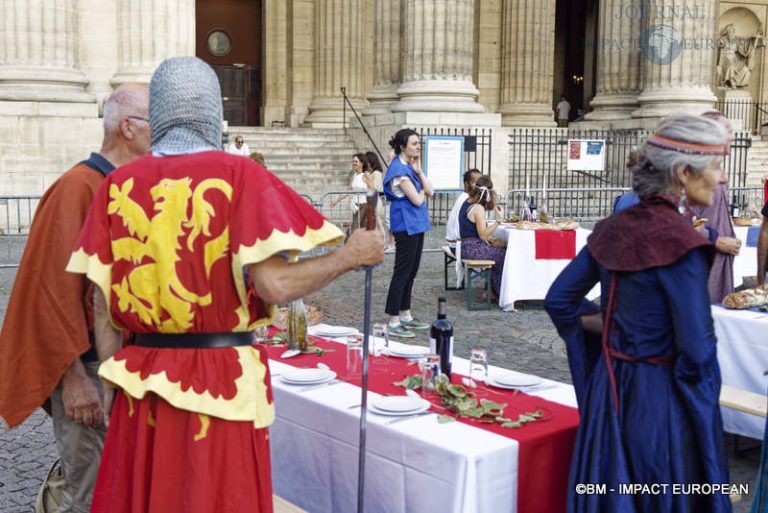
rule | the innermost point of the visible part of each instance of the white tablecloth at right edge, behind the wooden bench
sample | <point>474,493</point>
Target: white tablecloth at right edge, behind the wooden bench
<point>742,351</point>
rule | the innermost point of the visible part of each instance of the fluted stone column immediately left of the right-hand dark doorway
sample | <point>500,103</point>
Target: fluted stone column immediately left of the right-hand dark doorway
<point>527,63</point>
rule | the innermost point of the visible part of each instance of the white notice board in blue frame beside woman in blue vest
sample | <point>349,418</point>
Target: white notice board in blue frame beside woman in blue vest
<point>444,161</point>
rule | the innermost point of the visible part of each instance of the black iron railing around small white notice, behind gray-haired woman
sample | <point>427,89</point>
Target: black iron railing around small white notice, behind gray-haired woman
<point>539,158</point>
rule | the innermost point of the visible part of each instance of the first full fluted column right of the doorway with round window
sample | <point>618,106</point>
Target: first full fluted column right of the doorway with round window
<point>339,29</point>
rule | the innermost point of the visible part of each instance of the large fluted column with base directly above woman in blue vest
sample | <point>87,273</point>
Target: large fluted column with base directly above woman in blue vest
<point>437,57</point>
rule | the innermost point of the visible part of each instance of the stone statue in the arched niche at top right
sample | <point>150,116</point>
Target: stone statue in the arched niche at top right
<point>736,56</point>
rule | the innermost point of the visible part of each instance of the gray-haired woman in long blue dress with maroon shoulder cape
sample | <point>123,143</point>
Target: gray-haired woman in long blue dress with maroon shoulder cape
<point>648,391</point>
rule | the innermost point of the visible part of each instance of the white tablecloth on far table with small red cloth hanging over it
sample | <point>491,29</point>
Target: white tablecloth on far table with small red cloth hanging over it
<point>525,277</point>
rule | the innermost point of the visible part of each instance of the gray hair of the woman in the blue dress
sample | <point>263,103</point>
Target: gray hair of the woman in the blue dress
<point>655,171</point>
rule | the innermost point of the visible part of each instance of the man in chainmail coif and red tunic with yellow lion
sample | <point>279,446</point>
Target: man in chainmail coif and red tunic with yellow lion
<point>191,248</point>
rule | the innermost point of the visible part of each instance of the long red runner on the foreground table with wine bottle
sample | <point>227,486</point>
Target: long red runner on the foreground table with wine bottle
<point>545,446</point>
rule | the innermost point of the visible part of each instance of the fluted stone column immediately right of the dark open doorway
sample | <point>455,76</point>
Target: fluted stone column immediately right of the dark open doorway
<point>620,62</point>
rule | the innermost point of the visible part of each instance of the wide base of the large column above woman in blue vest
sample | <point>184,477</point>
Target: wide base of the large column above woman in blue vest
<point>437,96</point>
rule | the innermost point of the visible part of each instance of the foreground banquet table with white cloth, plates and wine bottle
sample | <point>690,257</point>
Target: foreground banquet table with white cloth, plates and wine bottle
<point>413,465</point>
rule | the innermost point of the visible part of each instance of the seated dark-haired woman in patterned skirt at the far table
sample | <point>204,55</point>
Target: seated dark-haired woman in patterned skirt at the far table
<point>475,230</point>
